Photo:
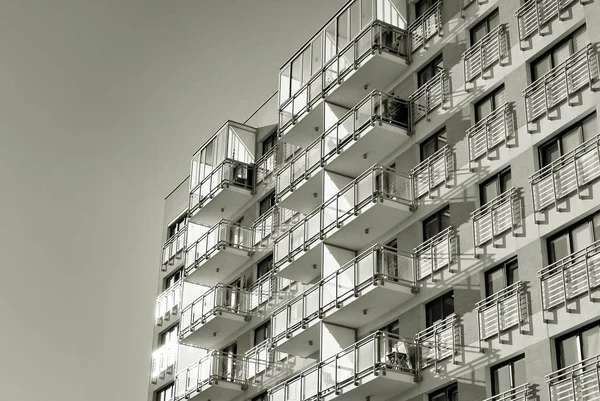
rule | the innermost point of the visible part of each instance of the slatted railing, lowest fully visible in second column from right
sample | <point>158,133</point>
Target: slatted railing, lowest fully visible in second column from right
<point>502,311</point>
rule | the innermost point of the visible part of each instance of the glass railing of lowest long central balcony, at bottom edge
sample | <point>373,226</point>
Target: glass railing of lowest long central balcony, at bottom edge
<point>370,357</point>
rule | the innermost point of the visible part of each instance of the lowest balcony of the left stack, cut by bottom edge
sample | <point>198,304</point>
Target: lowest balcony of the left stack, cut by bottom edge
<point>216,376</point>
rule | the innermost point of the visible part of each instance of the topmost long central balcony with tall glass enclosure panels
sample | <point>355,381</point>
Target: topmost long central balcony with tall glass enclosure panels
<point>373,53</point>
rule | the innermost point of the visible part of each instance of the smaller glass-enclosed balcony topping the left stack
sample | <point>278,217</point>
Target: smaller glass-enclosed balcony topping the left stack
<point>225,162</point>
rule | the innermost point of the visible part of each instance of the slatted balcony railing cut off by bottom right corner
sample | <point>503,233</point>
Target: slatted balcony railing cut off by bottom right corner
<point>578,382</point>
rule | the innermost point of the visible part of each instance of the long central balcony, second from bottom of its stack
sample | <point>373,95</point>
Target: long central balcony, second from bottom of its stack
<point>376,281</point>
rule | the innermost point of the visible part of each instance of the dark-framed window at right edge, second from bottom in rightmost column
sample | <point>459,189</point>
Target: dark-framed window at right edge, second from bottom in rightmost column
<point>574,238</point>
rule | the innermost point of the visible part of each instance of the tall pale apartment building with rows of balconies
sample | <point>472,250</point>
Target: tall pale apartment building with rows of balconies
<point>413,216</point>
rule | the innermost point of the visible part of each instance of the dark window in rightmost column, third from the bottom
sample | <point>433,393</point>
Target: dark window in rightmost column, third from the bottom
<point>568,140</point>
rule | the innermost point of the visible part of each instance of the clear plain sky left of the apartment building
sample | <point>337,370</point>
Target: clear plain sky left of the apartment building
<point>102,103</point>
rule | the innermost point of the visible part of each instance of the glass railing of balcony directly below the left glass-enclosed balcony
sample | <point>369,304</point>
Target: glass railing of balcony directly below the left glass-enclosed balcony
<point>225,234</point>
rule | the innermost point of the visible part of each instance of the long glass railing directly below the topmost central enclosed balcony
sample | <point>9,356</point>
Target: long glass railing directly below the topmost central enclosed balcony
<point>376,108</point>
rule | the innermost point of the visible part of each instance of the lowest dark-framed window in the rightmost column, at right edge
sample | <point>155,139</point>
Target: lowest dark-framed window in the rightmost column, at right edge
<point>579,345</point>
